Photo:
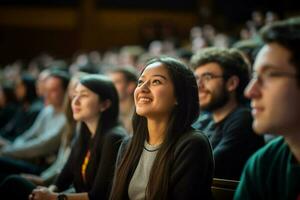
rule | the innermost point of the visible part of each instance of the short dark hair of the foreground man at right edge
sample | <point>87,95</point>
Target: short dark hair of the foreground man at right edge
<point>287,34</point>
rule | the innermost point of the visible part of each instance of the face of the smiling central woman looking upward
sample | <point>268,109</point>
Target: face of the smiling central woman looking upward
<point>154,95</point>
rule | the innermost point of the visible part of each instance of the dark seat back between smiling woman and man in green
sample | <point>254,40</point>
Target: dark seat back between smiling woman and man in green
<point>223,189</point>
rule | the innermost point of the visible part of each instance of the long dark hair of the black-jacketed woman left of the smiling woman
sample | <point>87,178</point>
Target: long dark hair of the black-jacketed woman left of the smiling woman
<point>108,119</point>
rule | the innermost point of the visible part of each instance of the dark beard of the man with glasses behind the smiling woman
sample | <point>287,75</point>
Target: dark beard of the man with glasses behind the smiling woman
<point>217,101</point>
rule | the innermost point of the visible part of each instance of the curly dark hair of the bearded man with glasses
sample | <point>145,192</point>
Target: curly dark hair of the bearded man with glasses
<point>232,63</point>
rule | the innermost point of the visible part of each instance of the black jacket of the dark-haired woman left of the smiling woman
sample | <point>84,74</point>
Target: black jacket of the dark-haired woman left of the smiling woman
<point>99,172</point>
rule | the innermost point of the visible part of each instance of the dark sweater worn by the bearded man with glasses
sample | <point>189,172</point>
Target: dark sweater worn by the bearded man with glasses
<point>233,141</point>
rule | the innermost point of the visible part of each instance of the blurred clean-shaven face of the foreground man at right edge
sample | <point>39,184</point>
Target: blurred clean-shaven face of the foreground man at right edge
<point>274,92</point>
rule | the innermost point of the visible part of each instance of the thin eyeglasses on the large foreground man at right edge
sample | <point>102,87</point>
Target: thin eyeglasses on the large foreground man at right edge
<point>267,76</point>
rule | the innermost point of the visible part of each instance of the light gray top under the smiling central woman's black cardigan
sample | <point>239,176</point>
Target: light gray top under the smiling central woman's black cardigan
<point>139,180</point>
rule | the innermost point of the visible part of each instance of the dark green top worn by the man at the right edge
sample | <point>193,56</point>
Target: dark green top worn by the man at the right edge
<point>271,173</point>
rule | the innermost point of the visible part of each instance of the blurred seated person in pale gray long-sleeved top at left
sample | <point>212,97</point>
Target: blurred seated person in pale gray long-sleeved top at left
<point>29,152</point>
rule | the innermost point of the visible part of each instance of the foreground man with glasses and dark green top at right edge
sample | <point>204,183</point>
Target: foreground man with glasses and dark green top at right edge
<point>273,172</point>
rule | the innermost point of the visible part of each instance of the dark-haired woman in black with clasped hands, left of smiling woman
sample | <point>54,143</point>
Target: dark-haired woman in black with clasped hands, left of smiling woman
<point>90,167</point>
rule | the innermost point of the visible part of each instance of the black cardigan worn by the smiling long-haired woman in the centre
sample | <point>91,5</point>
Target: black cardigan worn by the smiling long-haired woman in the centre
<point>192,168</point>
